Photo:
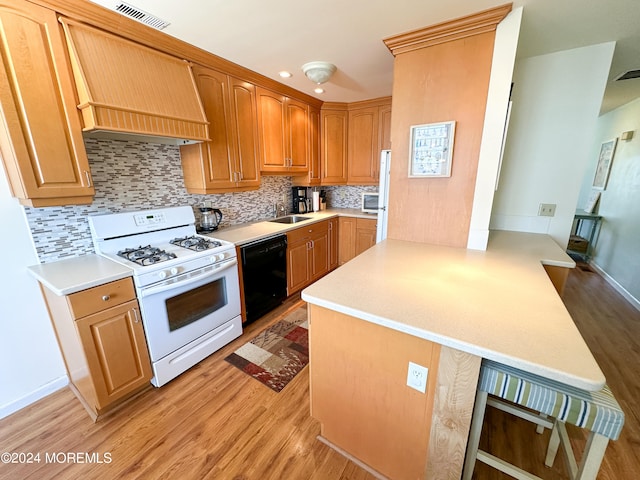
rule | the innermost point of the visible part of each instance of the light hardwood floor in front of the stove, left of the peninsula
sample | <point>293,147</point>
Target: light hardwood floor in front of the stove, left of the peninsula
<point>212,422</point>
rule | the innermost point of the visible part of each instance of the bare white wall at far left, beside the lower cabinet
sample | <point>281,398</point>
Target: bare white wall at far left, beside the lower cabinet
<point>31,365</point>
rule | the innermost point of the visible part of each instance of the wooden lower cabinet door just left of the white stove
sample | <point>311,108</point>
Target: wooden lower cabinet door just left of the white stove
<point>116,352</point>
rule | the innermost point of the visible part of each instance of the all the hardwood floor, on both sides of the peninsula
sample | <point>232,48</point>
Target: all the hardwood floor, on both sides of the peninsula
<point>215,422</point>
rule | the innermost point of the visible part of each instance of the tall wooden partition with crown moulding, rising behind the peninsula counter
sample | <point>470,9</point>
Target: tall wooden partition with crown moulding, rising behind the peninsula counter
<point>441,73</point>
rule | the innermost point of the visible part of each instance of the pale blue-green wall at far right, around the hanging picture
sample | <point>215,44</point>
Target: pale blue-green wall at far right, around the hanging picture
<point>617,250</point>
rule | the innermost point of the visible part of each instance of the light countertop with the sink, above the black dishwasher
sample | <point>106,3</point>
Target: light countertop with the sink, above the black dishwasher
<point>250,232</point>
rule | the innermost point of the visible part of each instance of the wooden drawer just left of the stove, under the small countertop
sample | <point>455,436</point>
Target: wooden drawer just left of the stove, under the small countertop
<point>100,298</point>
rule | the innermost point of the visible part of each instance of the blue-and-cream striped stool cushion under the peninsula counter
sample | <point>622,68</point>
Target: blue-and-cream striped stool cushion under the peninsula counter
<point>595,411</point>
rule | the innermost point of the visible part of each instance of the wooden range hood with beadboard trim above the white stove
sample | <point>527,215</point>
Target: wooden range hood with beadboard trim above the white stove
<point>130,91</point>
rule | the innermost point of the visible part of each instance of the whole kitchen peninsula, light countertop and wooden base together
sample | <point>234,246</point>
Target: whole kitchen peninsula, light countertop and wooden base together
<point>443,308</point>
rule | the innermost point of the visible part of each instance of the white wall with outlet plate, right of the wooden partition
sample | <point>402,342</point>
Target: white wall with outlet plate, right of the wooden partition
<point>556,101</point>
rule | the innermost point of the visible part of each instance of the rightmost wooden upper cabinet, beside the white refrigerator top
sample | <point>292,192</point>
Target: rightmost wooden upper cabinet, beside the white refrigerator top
<point>369,133</point>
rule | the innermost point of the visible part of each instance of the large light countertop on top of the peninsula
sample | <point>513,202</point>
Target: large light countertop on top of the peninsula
<point>498,304</point>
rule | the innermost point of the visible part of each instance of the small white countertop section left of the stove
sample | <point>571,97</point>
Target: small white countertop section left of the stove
<point>78,273</point>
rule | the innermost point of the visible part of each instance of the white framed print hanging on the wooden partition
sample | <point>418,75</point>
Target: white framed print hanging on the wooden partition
<point>431,149</point>
